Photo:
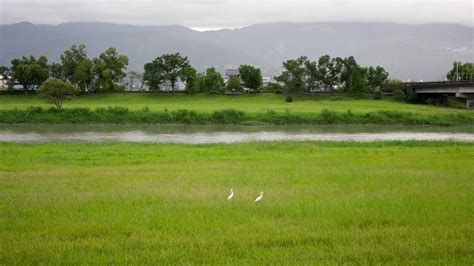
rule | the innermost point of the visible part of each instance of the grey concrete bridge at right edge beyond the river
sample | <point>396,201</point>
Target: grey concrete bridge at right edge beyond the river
<point>460,89</point>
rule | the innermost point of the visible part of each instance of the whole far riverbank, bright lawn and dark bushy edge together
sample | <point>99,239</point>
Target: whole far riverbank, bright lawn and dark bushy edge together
<point>141,108</point>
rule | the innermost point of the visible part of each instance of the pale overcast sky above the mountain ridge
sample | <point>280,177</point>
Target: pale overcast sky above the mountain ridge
<point>210,14</point>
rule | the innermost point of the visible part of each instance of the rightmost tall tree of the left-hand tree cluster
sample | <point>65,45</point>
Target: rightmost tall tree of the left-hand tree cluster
<point>109,69</point>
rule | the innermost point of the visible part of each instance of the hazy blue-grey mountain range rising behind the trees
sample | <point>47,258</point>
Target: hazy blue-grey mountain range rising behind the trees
<point>406,51</point>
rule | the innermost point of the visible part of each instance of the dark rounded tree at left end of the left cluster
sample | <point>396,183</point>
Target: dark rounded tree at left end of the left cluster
<point>29,71</point>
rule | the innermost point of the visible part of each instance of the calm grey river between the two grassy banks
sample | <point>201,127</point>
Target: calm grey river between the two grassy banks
<point>197,134</point>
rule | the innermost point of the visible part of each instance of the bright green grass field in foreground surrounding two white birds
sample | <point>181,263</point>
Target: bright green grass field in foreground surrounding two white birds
<point>137,203</point>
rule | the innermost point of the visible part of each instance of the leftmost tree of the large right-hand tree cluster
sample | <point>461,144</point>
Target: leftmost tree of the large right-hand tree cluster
<point>294,74</point>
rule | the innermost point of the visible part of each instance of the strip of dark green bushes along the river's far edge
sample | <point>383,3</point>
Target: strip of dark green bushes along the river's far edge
<point>122,115</point>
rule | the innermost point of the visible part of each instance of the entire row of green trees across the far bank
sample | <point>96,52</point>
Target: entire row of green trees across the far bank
<point>106,73</point>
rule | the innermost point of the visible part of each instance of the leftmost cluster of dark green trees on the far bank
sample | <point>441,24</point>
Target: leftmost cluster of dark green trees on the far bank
<point>99,74</point>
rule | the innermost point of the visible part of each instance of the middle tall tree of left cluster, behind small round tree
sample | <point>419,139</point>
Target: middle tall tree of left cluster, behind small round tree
<point>77,67</point>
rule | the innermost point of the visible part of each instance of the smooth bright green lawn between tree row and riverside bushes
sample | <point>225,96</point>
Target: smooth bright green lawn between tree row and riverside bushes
<point>208,103</point>
